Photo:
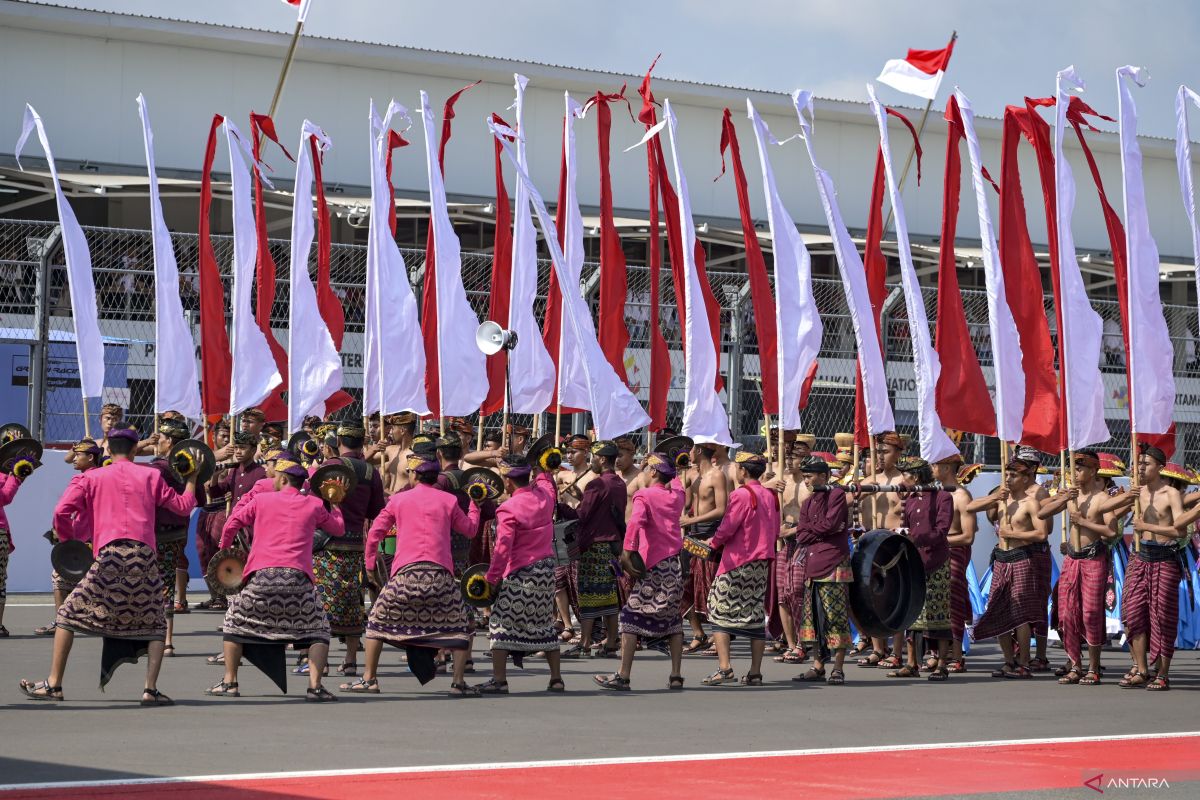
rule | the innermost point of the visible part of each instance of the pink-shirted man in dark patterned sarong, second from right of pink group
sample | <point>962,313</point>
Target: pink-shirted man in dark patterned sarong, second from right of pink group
<point>653,607</point>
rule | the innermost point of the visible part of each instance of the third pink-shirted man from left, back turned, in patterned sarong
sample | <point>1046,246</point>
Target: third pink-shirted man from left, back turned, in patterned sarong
<point>422,609</point>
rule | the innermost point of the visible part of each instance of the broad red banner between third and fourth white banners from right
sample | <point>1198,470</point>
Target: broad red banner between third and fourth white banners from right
<point>1023,281</point>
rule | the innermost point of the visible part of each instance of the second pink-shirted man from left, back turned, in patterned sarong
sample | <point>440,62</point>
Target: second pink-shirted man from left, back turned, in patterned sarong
<point>279,604</point>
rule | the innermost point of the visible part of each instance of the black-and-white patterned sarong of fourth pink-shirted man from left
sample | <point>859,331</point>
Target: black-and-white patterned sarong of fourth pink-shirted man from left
<point>524,613</point>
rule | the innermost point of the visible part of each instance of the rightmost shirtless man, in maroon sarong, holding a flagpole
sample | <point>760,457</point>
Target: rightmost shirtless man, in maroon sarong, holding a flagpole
<point>1150,607</point>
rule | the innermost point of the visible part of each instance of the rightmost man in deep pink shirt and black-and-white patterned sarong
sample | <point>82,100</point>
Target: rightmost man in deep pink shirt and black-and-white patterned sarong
<point>747,542</point>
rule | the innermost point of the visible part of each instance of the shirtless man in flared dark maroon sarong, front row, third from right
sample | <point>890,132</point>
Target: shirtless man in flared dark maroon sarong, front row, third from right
<point>1018,600</point>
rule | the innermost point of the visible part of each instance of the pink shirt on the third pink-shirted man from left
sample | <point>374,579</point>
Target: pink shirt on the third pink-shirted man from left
<point>424,518</point>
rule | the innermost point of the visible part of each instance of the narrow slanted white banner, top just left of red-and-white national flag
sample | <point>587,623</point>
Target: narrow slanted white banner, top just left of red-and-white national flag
<point>935,446</point>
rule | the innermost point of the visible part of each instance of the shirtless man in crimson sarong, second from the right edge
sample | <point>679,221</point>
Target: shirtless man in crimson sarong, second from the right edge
<point>1085,569</point>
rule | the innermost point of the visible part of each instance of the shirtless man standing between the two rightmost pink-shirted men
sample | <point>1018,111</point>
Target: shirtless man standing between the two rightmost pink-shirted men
<point>707,500</point>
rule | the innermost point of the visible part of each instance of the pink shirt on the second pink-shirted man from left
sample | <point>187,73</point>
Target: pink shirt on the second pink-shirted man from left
<point>284,524</point>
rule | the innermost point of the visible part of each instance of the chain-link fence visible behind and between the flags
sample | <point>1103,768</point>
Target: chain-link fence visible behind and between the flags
<point>124,278</point>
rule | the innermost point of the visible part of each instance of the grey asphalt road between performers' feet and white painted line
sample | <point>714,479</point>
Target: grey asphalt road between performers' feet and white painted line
<point>99,736</point>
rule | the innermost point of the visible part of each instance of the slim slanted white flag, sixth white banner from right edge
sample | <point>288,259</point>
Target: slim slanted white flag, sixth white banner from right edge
<point>854,281</point>
